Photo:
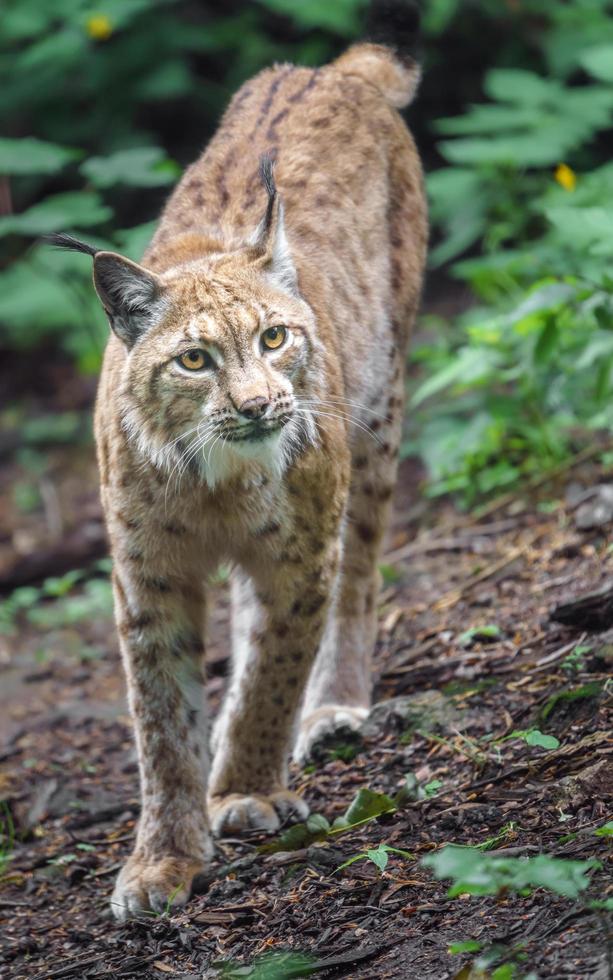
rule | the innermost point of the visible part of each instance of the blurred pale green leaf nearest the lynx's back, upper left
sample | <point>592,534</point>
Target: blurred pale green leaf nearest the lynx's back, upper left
<point>144,166</point>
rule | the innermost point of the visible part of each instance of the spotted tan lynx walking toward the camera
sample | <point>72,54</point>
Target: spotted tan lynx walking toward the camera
<point>249,412</point>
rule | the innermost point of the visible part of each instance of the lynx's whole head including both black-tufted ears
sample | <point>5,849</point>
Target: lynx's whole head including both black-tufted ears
<point>220,352</point>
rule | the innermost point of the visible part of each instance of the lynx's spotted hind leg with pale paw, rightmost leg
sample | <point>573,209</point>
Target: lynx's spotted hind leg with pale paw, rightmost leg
<point>339,691</point>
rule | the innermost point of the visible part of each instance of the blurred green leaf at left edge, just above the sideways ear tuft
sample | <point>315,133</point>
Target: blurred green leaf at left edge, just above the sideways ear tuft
<point>59,212</point>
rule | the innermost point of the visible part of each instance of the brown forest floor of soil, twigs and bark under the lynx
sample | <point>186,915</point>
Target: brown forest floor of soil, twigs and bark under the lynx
<point>467,654</point>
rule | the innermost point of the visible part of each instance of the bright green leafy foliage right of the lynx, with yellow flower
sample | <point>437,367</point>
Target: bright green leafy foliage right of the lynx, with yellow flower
<point>511,382</point>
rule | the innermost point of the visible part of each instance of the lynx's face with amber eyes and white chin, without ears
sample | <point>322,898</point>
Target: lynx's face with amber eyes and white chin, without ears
<point>229,371</point>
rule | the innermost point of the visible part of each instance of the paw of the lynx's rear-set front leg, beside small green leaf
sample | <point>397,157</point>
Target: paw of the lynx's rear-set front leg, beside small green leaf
<point>235,813</point>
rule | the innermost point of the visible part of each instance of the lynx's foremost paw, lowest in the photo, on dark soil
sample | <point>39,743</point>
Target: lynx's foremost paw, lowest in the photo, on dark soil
<point>152,886</point>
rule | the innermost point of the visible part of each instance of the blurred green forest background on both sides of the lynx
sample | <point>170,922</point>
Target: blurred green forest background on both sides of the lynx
<point>104,103</point>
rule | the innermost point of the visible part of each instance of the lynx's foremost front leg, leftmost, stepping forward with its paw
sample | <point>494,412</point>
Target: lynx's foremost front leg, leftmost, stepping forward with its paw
<point>160,622</point>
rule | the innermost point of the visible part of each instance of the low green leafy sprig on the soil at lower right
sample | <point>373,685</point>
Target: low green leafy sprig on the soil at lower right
<point>474,872</point>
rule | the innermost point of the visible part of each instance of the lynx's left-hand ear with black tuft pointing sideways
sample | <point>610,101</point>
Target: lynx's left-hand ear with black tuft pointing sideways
<point>130,295</point>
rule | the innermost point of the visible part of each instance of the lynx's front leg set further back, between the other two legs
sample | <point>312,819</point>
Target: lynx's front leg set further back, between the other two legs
<point>280,632</point>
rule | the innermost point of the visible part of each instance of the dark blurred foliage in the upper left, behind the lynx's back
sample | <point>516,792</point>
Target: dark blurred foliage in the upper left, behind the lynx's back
<point>97,107</point>
